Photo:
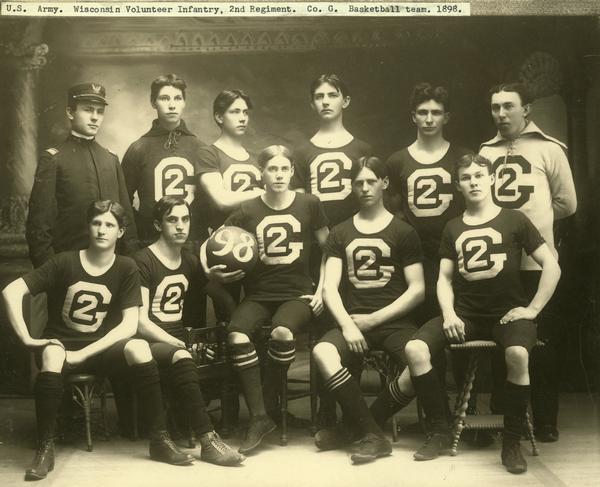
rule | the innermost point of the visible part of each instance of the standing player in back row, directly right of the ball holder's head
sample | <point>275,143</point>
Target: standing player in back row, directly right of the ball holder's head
<point>324,167</point>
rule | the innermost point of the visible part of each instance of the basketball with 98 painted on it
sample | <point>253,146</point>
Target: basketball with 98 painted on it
<point>232,246</point>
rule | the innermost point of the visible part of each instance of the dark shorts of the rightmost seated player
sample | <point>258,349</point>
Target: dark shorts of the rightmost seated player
<point>520,333</point>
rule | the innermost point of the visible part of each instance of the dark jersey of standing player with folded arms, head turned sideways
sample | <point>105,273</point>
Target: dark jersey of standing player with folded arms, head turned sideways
<point>237,176</point>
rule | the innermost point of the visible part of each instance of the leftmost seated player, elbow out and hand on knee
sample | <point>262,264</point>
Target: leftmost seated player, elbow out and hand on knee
<point>93,301</point>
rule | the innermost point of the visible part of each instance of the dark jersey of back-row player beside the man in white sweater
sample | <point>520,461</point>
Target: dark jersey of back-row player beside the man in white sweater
<point>428,194</point>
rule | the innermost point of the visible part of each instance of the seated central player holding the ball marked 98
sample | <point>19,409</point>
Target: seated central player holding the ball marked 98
<point>278,289</point>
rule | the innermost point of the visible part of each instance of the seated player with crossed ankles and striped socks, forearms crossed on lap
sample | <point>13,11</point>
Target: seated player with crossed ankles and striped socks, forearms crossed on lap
<point>375,259</point>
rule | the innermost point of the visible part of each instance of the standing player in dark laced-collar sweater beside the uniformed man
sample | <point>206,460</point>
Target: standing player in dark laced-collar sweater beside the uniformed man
<point>164,161</point>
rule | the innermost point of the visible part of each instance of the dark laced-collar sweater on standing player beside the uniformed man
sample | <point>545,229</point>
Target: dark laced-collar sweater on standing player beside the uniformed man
<point>163,163</point>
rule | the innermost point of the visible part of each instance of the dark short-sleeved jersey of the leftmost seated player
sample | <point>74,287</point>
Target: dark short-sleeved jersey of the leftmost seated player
<point>81,305</point>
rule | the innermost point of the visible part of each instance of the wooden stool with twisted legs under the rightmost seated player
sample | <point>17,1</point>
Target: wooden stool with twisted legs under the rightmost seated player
<point>476,349</point>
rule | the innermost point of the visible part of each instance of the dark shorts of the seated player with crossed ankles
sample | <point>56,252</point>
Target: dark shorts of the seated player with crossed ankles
<point>390,337</point>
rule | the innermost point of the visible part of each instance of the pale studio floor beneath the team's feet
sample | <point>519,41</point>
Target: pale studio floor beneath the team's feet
<point>573,461</point>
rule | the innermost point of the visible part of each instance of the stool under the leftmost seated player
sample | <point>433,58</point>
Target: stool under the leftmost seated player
<point>84,388</point>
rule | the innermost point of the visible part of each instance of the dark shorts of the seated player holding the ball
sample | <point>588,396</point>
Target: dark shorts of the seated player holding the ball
<point>250,315</point>
